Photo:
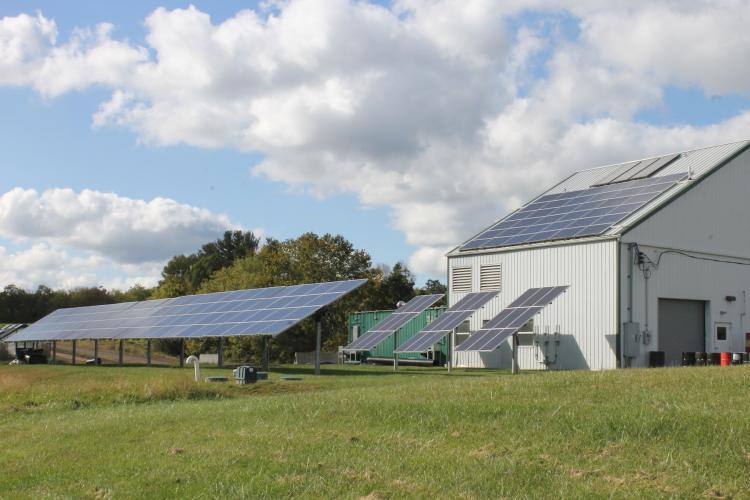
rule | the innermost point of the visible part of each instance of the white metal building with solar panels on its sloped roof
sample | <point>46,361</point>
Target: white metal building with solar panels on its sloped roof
<point>671,276</point>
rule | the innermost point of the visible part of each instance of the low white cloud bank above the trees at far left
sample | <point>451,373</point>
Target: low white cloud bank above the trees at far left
<point>123,229</point>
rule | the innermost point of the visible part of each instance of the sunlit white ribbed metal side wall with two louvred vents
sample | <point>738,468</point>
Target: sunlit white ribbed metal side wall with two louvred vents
<point>586,314</point>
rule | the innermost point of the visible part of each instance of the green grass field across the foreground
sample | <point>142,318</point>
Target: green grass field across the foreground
<point>101,432</point>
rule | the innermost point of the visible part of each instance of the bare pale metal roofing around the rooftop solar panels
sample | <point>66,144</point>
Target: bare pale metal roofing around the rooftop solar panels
<point>697,163</point>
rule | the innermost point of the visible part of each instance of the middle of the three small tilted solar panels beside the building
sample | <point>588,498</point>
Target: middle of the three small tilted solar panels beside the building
<point>450,319</point>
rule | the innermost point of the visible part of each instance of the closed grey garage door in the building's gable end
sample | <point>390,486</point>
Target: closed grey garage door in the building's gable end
<point>682,327</point>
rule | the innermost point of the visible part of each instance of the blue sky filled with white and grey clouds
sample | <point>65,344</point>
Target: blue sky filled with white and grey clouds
<point>133,131</point>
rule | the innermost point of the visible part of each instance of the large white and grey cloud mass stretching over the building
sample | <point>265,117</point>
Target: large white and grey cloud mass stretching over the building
<point>449,112</point>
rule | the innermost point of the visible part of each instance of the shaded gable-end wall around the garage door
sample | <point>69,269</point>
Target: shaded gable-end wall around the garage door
<point>709,220</point>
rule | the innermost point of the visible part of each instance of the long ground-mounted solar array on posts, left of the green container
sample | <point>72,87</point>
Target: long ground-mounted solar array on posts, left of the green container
<point>260,311</point>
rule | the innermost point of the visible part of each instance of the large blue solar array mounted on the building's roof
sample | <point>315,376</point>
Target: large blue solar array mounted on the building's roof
<point>573,214</point>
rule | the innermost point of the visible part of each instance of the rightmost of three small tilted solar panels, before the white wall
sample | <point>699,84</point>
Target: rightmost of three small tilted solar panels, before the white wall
<point>510,319</point>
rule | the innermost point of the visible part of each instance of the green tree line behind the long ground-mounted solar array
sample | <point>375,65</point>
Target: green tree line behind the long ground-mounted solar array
<point>238,261</point>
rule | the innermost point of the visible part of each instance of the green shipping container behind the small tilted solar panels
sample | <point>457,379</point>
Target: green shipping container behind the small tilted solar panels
<point>361,322</point>
